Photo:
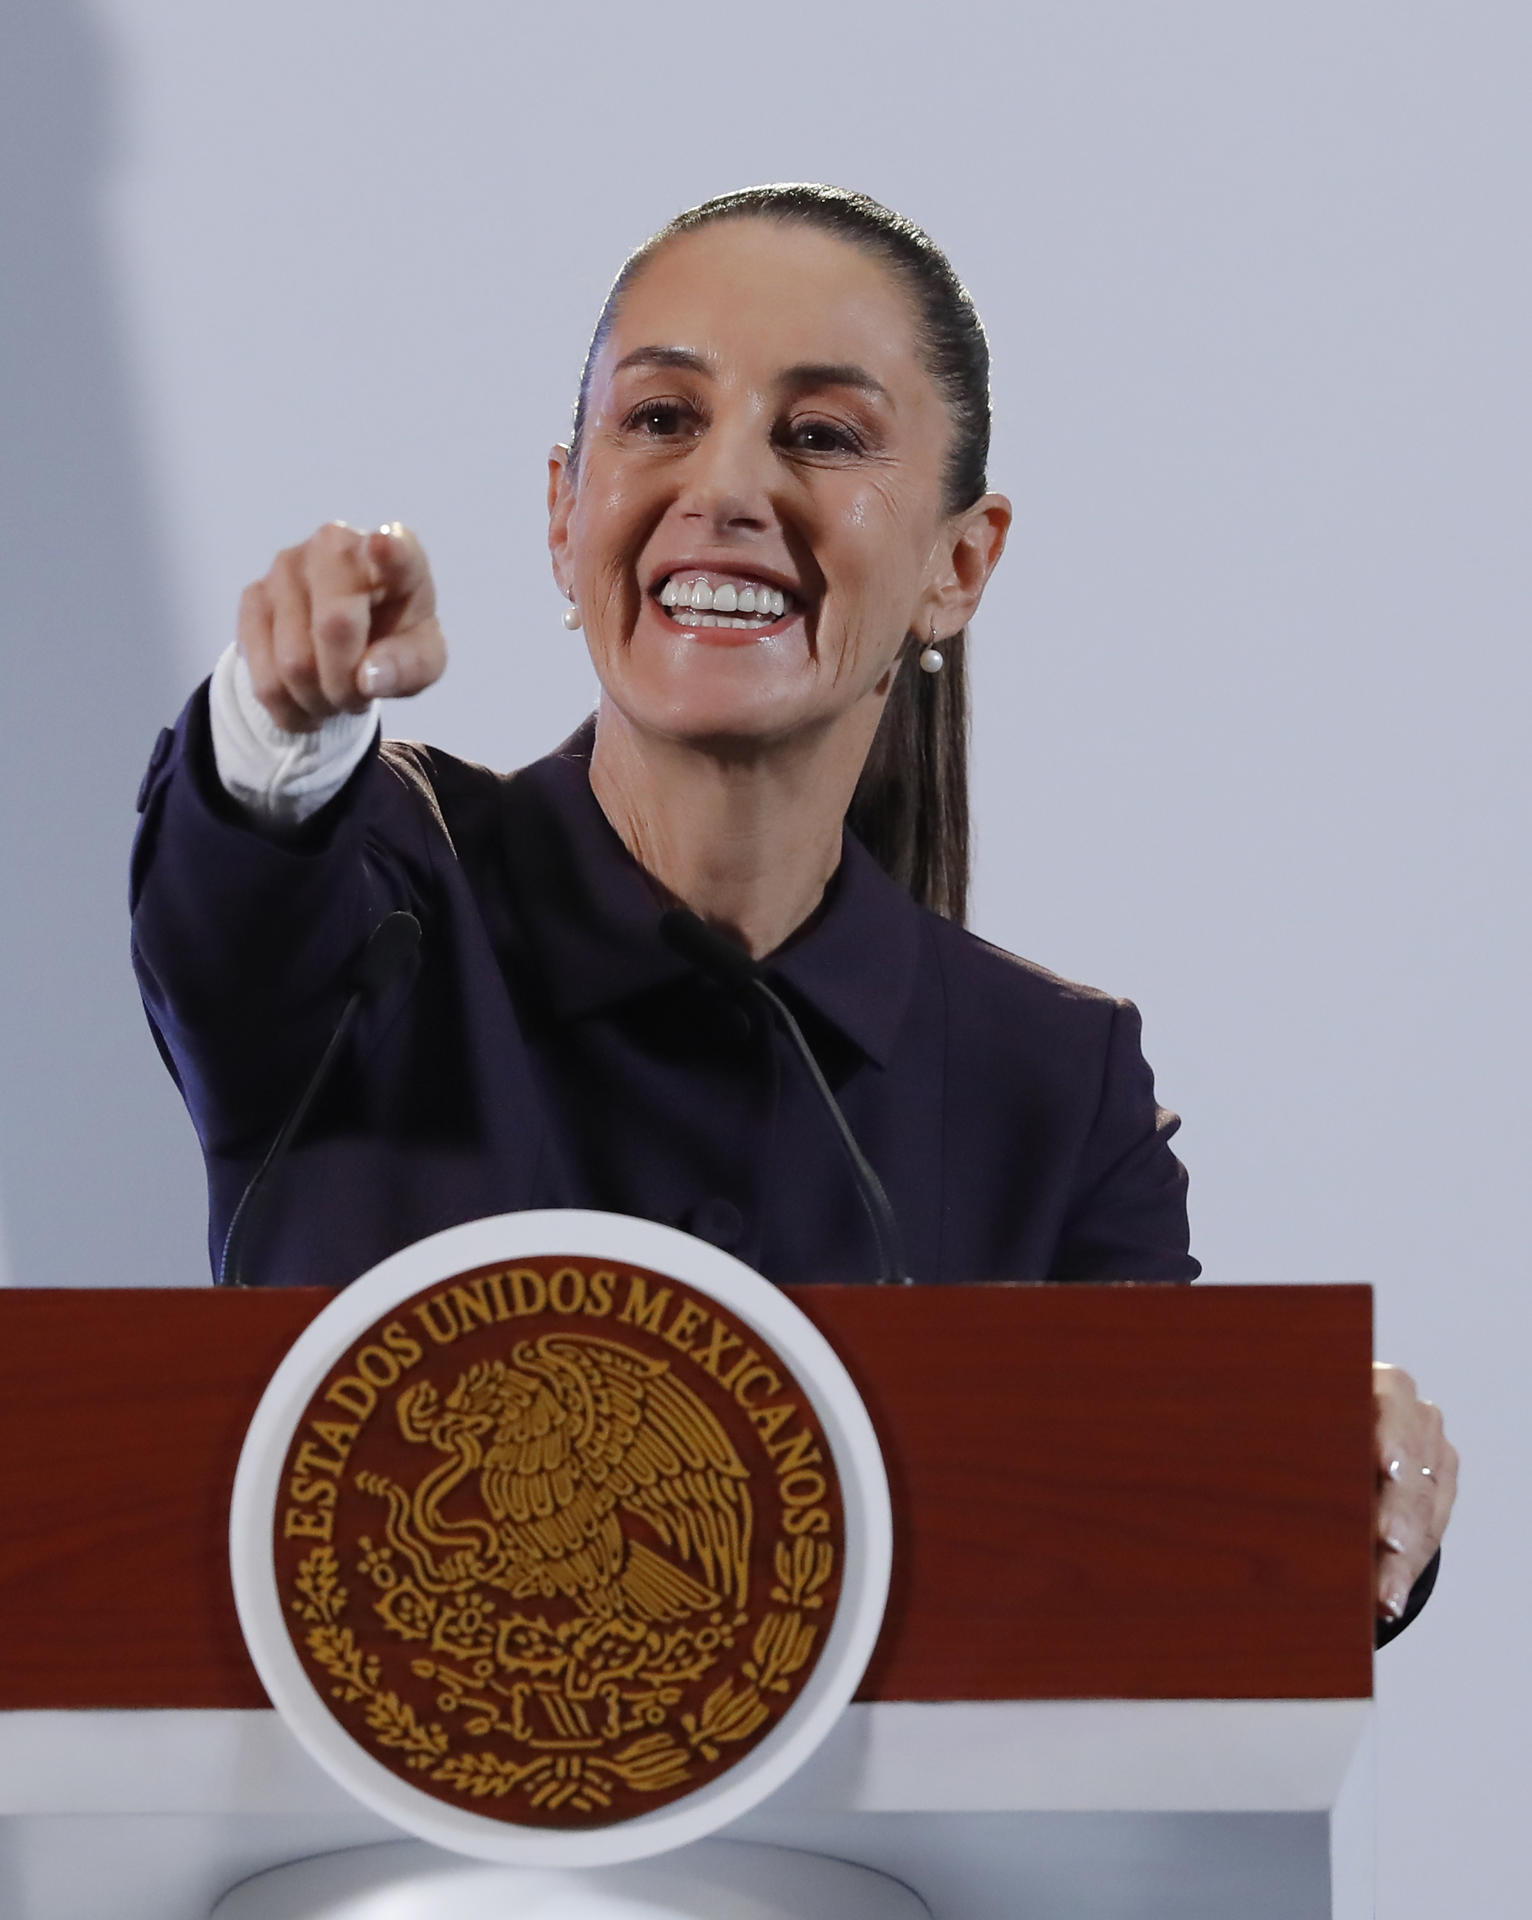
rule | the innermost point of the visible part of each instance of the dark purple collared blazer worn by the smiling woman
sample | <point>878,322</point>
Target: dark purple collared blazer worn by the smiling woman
<point>554,1051</point>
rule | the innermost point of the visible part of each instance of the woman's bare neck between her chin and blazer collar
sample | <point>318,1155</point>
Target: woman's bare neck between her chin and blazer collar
<point>744,836</point>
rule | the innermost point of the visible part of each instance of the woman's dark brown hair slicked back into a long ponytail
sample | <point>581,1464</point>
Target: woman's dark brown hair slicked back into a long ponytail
<point>911,804</point>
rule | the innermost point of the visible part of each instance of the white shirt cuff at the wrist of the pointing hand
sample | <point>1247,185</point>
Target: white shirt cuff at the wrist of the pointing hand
<point>283,779</point>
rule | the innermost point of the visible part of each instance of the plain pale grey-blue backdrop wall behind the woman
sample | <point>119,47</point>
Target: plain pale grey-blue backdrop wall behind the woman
<point>1253,684</point>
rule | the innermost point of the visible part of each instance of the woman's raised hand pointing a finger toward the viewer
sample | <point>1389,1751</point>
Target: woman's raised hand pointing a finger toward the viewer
<point>339,623</point>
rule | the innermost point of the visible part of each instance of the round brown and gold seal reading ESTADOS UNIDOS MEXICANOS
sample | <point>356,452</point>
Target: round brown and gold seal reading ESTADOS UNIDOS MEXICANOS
<point>560,1541</point>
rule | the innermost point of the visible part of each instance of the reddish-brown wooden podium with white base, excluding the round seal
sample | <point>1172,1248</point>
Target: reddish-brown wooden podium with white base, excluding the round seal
<point>1126,1666</point>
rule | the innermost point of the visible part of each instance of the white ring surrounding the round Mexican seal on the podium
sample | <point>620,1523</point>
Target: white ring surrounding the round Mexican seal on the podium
<point>583,1236</point>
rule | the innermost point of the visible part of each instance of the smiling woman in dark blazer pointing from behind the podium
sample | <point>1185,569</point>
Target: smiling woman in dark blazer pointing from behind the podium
<point>775,527</point>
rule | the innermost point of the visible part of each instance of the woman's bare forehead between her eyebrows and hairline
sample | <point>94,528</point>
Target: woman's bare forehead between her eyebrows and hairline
<point>757,297</point>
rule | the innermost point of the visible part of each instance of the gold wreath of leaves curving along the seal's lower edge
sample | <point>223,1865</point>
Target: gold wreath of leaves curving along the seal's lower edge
<point>585,1783</point>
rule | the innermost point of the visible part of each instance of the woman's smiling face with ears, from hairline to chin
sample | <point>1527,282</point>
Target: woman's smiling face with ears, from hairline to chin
<point>757,517</point>
